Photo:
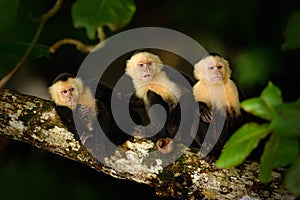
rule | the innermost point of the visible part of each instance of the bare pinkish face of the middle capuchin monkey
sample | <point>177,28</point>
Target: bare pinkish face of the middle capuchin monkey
<point>145,70</point>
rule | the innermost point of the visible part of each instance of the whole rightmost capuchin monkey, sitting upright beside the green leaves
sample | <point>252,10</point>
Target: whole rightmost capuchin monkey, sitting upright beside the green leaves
<point>218,99</point>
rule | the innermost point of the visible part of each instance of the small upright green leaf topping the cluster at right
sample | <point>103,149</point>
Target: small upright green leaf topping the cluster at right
<point>271,95</point>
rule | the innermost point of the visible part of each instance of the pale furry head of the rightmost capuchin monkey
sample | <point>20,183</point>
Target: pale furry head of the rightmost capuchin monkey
<point>213,68</point>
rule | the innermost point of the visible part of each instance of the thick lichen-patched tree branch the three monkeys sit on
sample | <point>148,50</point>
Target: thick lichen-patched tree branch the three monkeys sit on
<point>35,121</point>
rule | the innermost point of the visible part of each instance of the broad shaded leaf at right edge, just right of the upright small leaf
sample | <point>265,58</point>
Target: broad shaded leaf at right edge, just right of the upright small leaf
<point>286,123</point>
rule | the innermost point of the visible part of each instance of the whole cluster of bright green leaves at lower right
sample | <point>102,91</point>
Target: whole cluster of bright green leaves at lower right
<point>282,147</point>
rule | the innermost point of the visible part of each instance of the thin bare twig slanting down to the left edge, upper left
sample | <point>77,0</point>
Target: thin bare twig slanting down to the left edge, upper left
<point>43,20</point>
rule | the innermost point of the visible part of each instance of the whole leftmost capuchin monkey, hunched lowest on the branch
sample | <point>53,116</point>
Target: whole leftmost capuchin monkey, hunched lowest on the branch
<point>73,98</point>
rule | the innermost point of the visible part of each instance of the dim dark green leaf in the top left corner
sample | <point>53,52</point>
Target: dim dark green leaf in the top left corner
<point>8,14</point>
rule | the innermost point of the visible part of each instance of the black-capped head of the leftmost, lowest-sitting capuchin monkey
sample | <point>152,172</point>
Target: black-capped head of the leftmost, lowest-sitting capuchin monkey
<point>65,90</point>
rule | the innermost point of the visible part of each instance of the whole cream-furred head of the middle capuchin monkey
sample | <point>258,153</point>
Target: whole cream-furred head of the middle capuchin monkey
<point>143,66</point>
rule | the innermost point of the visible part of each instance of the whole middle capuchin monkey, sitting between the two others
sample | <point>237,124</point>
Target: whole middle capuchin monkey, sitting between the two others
<point>153,84</point>
